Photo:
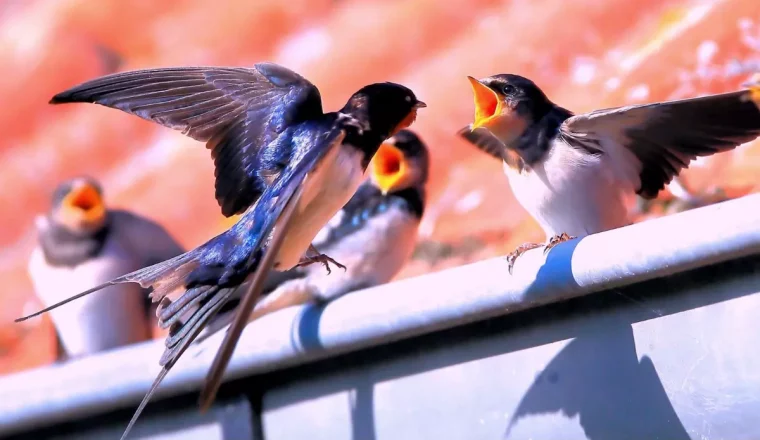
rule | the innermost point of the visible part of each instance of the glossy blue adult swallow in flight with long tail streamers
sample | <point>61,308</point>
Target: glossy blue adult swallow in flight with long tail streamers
<point>278,157</point>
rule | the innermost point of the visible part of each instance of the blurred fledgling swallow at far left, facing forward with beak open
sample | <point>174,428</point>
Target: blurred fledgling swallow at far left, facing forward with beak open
<point>81,243</point>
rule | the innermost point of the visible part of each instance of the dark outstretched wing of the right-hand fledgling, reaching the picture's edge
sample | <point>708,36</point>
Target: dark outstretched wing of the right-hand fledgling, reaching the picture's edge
<point>666,136</point>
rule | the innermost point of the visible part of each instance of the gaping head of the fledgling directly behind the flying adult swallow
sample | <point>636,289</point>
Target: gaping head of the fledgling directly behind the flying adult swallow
<point>401,162</point>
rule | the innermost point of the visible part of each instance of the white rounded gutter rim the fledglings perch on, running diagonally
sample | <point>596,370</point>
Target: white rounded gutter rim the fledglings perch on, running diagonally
<point>410,307</point>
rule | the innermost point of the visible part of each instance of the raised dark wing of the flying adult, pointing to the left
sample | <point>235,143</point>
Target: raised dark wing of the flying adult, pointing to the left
<point>236,111</point>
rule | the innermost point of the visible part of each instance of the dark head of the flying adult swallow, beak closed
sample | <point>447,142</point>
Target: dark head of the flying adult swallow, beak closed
<point>385,108</point>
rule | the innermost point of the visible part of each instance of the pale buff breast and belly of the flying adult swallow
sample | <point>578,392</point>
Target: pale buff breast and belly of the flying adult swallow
<point>327,188</point>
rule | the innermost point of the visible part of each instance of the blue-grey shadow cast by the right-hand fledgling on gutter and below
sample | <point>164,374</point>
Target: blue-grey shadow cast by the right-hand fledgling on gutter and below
<point>598,376</point>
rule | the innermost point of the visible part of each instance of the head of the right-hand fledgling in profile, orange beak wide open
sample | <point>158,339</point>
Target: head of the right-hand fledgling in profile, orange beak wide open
<point>507,105</point>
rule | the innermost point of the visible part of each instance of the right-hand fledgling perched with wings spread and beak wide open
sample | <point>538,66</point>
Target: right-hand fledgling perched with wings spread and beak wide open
<point>571,172</point>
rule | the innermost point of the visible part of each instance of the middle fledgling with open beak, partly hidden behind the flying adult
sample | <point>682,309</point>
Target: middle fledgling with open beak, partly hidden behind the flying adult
<point>374,234</point>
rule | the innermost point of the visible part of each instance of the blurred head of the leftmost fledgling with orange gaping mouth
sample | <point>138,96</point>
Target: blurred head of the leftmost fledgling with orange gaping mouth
<point>78,205</point>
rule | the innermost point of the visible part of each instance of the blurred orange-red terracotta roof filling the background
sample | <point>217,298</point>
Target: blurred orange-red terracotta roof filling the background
<point>586,54</point>
